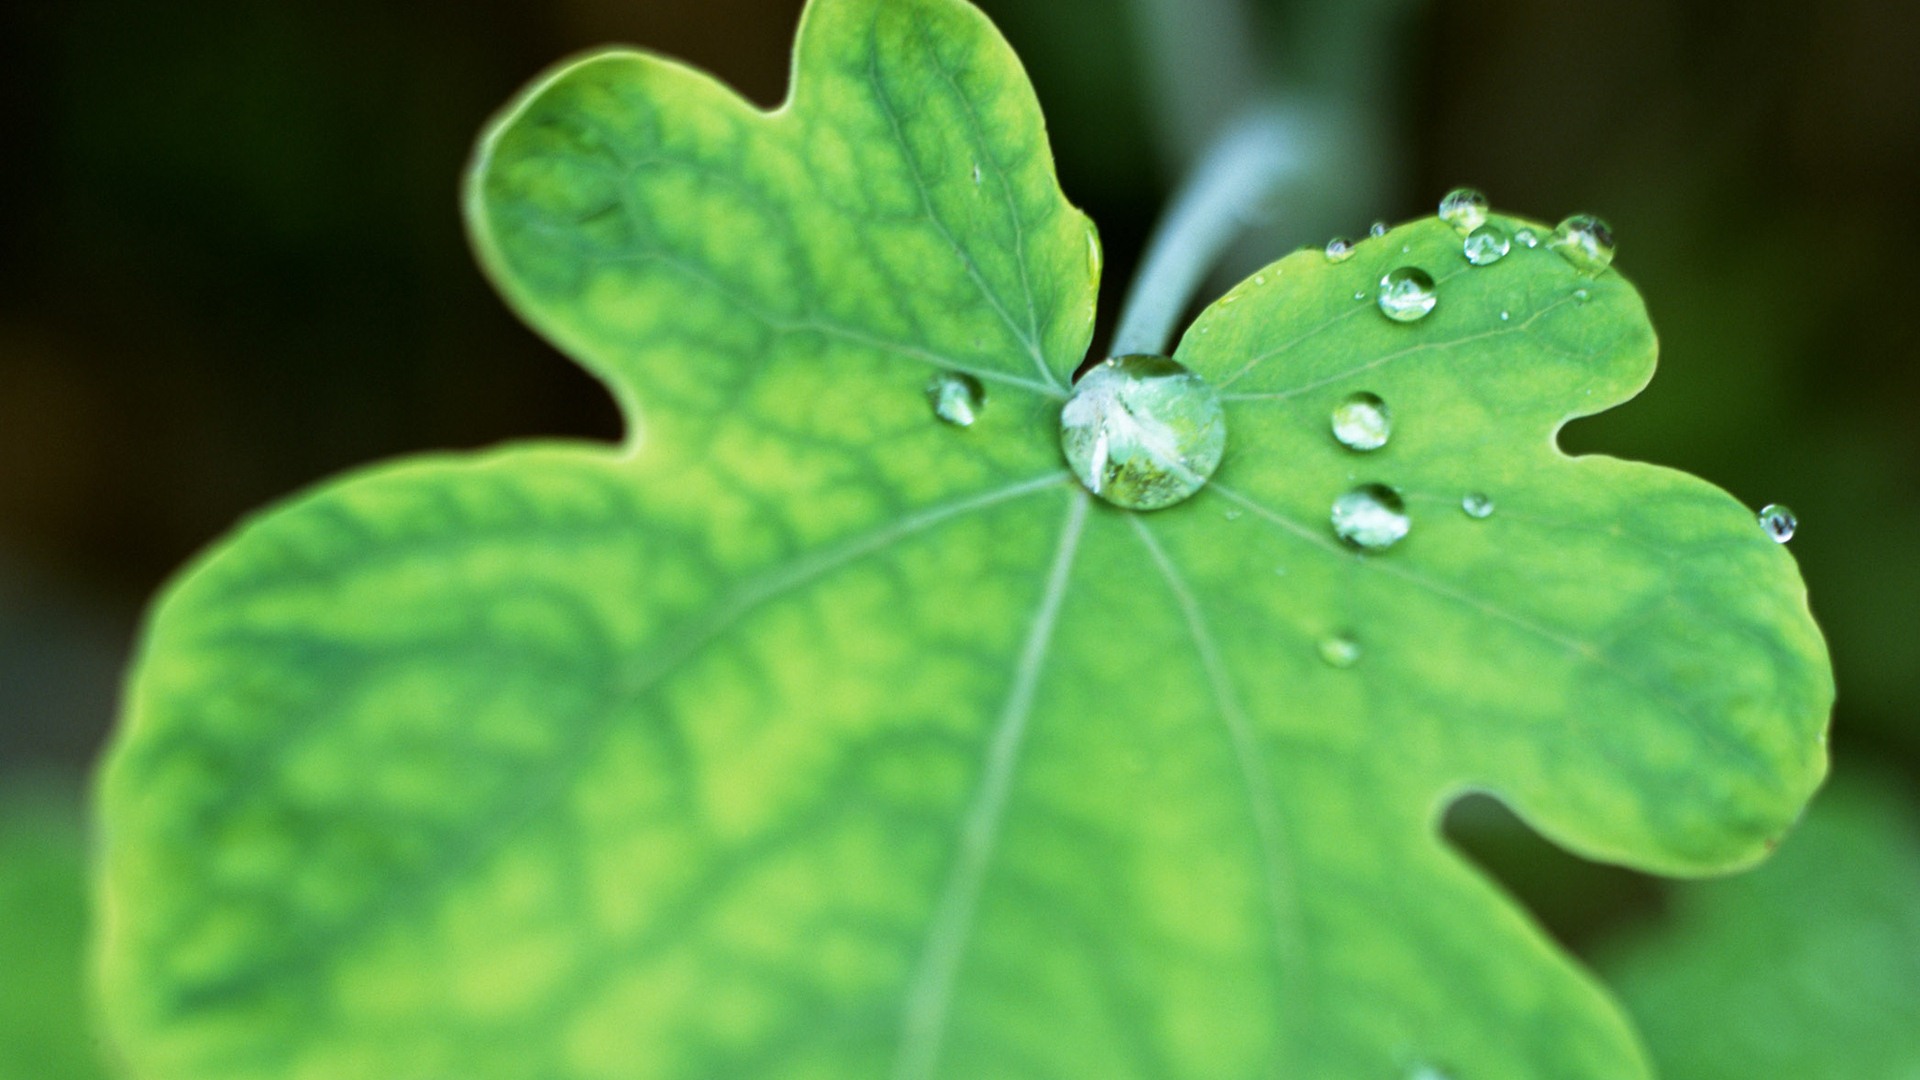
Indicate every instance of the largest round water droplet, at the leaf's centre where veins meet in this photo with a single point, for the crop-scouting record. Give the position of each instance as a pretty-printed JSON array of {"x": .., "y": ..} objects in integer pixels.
[{"x": 1141, "y": 431}]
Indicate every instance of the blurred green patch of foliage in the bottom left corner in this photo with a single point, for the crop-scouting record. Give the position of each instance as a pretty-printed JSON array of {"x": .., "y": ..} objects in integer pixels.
[{"x": 43, "y": 933}]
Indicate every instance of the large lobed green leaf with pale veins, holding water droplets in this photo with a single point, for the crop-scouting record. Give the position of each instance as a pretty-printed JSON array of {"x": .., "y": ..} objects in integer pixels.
[{"x": 811, "y": 737}]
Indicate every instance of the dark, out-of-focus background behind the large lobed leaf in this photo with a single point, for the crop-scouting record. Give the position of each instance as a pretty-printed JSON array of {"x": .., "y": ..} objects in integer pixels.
[{"x": 231, "y": 262}]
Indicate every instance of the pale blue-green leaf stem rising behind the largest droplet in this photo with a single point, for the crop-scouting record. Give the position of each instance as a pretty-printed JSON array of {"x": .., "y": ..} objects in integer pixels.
[{"x": 1224, "y": 195}]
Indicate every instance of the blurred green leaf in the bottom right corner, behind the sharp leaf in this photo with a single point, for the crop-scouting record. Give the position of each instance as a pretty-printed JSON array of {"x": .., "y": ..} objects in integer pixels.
[{"x": 1808, "y": 968}]
